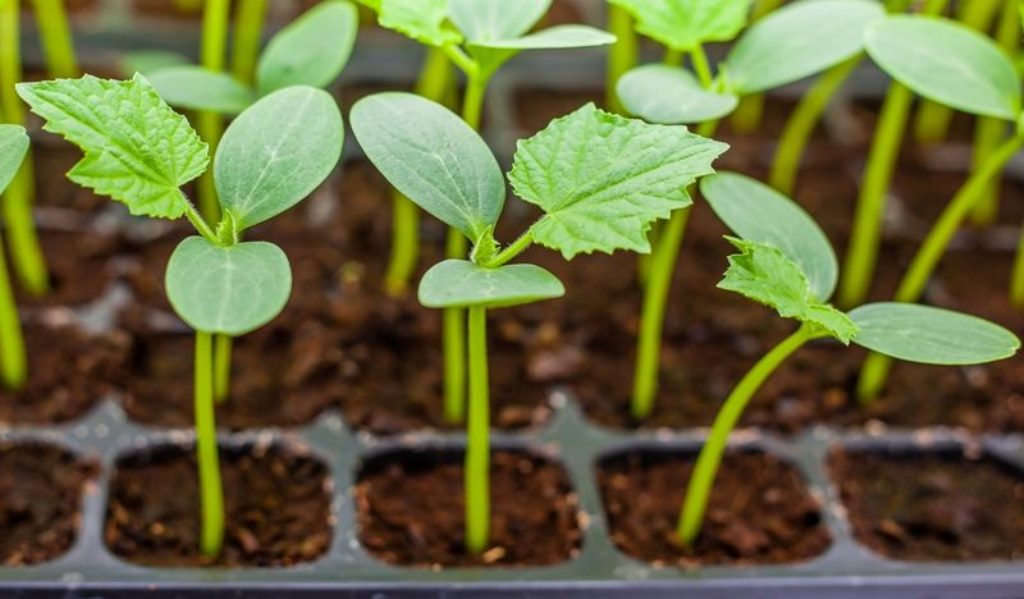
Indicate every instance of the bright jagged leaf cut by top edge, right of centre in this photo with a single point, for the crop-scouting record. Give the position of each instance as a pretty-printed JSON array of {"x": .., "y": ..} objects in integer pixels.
[{"x": 684, "y": 25}]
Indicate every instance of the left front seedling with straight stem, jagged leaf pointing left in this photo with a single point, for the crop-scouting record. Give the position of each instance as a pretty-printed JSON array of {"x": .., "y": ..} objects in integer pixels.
[{"x": 141, "y": 153}]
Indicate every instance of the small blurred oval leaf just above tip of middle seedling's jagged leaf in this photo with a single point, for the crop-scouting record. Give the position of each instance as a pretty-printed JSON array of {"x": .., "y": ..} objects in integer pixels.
[{"x": 659, "y": 94}]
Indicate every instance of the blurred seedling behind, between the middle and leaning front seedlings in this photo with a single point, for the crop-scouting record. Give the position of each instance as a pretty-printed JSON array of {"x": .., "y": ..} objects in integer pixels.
[{"x": 788, "y": 46}]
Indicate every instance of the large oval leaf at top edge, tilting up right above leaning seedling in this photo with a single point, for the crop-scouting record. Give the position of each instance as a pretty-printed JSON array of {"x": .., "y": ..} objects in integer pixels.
[{"x": 797, "y": 41}]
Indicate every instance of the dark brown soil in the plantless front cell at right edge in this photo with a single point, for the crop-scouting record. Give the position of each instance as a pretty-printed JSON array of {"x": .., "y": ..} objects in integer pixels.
[{"x": 932, "y": 507}]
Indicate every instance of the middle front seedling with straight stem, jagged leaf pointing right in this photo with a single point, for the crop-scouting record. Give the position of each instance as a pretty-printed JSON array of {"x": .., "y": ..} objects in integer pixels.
[{"x": 601, "y": 181}]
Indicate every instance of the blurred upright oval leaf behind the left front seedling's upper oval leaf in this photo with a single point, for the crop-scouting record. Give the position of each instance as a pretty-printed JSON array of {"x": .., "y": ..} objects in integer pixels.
[{"x": 312, "y": 51}]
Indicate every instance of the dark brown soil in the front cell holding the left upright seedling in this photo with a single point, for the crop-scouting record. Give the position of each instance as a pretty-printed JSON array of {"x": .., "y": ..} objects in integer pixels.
[{"x": 277, "y": 507}]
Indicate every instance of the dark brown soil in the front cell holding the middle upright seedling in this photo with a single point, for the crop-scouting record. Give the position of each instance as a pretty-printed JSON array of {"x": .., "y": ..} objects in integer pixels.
[{"x": 411, "y": 511}]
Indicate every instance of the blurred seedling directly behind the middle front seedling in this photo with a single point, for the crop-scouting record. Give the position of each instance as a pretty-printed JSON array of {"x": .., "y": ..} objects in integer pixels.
[{"x": 479, "y": 36}]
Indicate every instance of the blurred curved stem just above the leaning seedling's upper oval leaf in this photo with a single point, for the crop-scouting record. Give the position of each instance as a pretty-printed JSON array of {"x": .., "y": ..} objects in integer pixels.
[{"x": 802, "y": 122}]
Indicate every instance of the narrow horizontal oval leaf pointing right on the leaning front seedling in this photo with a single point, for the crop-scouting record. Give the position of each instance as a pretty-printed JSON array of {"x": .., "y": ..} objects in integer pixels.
[{"x": 928, "y": 335}]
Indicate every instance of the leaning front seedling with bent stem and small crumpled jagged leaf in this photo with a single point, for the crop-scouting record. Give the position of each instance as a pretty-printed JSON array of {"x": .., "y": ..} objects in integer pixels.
[{"x": 786, "y": 264}]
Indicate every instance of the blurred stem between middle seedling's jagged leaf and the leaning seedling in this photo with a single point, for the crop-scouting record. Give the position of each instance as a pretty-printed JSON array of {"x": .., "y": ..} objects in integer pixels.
[{"x": 656, "y": 298}]
